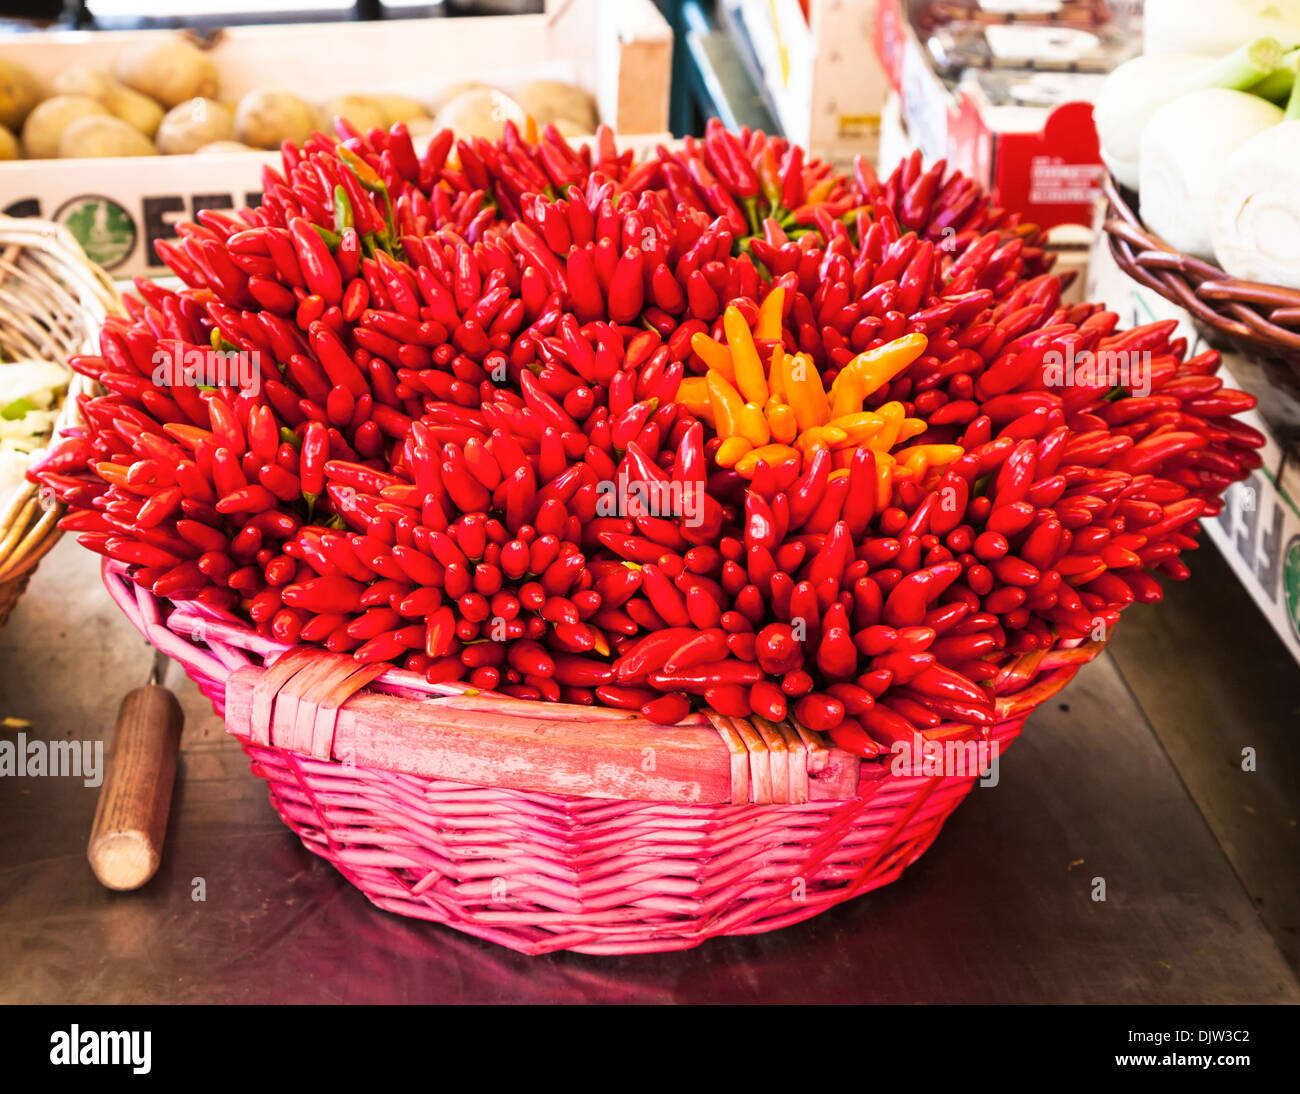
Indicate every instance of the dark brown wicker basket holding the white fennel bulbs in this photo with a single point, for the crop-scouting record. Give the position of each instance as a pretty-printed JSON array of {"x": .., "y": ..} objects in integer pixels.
[{"x": 1258, "y": 320}]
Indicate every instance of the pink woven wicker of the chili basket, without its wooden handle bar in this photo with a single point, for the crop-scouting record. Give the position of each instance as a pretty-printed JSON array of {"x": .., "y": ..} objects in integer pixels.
[{"x": 540, "y": 872}]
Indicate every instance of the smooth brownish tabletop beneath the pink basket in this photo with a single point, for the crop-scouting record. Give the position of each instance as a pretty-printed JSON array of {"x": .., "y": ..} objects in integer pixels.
[{"x": 1133, "y": 778}]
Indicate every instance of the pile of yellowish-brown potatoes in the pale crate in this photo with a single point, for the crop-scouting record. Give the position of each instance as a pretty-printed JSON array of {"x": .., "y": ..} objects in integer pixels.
[{"x": 163, "y": 98}]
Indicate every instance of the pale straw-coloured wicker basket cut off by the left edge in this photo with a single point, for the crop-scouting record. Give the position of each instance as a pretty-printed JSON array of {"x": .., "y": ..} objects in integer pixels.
[{"x": 53, "y": 303}]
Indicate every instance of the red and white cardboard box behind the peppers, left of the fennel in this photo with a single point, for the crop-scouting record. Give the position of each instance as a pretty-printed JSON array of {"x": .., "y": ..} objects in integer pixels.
[{"x": 1043, "y": 163}]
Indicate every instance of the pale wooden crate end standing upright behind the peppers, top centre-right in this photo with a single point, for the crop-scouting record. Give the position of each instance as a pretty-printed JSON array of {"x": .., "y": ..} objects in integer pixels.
[{"x": 818, "y": 72}]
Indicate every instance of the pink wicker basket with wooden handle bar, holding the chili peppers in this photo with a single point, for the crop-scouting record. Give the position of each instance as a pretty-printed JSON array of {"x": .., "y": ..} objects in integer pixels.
[{"x": 547, "y": 828}]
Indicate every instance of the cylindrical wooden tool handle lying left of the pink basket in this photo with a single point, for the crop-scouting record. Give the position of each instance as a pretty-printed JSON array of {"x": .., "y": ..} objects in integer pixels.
[{"x": 131, "y": 819}]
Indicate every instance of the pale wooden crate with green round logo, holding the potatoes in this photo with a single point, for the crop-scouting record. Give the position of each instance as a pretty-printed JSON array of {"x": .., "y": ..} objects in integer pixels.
[{"x": 119, "y": 207}]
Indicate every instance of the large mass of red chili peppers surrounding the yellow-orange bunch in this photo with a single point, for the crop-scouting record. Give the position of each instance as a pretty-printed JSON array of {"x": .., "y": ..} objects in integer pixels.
[{"x": 463, "y": 351}]
